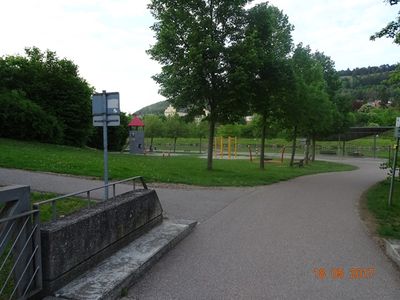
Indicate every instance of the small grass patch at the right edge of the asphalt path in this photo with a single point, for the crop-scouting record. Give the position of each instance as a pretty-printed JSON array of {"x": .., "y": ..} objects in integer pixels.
[{"x": 388, "y": 218}]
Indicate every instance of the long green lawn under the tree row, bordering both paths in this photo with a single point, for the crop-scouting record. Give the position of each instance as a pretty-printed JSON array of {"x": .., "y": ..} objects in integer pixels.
[{"x": 181, "y": 169}]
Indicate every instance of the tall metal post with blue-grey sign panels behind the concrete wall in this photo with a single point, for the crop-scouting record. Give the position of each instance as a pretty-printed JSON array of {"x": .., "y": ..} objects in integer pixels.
[{"x": 105, "y": 111}]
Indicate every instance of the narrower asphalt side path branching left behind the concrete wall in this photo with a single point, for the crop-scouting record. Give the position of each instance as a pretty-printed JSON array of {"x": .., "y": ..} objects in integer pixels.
[{"x": 180, "y": 202}]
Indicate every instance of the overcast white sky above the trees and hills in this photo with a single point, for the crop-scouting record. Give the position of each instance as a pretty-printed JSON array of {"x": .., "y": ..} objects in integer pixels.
[{"x": 108, "y": 38}]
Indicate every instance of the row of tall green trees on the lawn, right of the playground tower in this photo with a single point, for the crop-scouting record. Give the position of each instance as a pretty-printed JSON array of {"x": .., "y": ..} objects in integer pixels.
[{"x": 233, "y": 61}]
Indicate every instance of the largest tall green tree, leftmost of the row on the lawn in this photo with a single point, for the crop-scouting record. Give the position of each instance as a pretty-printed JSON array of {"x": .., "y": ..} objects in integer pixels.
[{"x": 196, "y": 43}]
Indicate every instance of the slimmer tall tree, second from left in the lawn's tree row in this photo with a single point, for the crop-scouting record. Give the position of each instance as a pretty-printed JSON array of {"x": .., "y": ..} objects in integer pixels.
[{"x": 270, "y": 32}]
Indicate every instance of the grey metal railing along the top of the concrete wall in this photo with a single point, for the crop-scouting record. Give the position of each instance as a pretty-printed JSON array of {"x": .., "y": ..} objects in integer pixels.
[{"x": 53, "y": 201}]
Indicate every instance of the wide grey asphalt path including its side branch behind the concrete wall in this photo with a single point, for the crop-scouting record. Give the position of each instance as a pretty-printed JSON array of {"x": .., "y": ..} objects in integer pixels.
[{"x": 264, "y": 242}]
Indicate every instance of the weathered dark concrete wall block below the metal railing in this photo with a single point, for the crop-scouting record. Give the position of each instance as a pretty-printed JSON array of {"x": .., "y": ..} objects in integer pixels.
[{"x": 75, "y": 239}]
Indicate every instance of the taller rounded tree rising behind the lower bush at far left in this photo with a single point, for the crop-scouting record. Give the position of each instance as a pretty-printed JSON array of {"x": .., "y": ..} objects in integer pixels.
[{"x": 56, "y": 86}]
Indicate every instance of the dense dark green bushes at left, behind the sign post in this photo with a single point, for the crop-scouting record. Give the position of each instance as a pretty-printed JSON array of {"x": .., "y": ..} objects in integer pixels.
[{"x": 44, "y": 98}]
